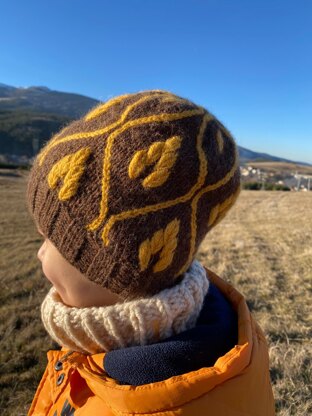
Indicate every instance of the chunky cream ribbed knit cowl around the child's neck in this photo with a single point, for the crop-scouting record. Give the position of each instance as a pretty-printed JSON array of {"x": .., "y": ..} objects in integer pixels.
[{"x": 137, "y": 322}]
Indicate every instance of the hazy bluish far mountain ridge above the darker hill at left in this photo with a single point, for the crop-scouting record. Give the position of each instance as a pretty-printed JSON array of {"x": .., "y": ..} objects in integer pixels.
[{"x": 44, "y": 100}]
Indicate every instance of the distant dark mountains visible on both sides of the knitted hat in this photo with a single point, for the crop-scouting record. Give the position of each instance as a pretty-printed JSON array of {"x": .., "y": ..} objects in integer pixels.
[{"x": 30, "y": 116}]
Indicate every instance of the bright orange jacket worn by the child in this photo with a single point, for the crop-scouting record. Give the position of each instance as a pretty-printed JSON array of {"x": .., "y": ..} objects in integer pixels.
[{"x": 237, "y": 385}]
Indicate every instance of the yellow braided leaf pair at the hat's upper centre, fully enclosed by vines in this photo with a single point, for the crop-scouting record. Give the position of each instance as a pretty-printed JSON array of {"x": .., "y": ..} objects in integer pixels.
[{"x": 164, "y": 153}]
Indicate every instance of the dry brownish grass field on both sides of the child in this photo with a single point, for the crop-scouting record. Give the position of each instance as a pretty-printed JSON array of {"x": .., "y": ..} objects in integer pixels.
[{"x": 263, "y": 246}]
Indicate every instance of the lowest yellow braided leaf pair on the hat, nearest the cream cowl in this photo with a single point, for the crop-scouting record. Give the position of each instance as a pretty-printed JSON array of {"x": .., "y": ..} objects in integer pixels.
[{"x": 164, "y": 240}]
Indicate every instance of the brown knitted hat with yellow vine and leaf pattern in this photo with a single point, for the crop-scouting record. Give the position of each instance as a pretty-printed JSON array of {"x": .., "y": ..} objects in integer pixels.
[{"x": 128, "y": 192}]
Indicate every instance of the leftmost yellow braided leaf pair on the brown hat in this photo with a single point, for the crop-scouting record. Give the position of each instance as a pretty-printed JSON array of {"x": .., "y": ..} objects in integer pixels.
[{"x": 69, "y": 169}]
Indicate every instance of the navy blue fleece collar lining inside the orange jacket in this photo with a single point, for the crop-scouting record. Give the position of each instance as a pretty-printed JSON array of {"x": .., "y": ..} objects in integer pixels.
[{"x": 215, "y": 334}]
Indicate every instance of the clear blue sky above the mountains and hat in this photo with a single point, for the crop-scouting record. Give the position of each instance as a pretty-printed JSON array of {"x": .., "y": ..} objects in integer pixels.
[{"x": 248, "y": 62}]
